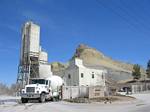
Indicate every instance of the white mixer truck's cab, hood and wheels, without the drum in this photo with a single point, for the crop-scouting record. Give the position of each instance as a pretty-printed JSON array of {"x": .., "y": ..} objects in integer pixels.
[{"x": 39, "y": 89}]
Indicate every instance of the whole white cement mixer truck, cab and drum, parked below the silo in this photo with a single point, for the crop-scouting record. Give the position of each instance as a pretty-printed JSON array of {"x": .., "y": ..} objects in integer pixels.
[{"x": 42, "y": 89}]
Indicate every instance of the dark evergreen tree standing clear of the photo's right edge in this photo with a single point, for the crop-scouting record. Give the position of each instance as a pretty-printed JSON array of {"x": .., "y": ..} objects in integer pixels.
[{"x": 136, "y": 72}]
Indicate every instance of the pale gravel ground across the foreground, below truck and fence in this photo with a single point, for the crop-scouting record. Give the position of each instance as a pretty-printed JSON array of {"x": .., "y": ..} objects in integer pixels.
[{"x": 142, "y": 104}]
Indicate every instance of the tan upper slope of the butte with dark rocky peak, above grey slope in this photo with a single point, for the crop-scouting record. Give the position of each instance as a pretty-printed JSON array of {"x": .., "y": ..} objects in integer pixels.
[{"x": 93, "y": 57}]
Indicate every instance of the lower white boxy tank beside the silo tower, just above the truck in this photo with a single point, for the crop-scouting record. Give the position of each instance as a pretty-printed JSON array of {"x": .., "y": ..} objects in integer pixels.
[{"x": 45, "y": 71}]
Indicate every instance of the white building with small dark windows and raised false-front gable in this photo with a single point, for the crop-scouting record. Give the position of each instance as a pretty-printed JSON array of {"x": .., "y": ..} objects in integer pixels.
[{"x": 77, "y": 74}]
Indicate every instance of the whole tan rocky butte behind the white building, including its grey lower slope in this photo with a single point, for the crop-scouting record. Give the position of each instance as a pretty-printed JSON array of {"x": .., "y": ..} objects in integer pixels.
[{"x": 117, "y": 70}]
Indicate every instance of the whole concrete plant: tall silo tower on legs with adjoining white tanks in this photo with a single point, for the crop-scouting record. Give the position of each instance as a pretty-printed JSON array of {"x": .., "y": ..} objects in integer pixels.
[{"x": 33, "y": 60}]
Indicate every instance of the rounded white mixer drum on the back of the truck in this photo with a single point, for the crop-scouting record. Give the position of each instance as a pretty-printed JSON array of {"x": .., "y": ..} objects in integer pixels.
[{"x": 56, "y": 82}]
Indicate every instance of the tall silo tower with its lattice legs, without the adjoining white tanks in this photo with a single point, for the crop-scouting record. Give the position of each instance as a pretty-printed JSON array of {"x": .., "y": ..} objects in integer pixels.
[{"x": 29, "y": 57}]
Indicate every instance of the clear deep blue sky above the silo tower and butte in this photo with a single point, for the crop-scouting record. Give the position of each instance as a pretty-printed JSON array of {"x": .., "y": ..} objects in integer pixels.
[{"x": 118, "y": 28}]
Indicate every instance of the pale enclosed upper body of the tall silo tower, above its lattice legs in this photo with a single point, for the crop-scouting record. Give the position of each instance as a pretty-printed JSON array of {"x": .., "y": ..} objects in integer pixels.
[{"x": 30, "y": 41}]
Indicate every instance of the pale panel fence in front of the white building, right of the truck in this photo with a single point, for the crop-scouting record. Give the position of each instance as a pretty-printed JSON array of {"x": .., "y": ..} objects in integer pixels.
[{"x": 69, "y": 92}]
